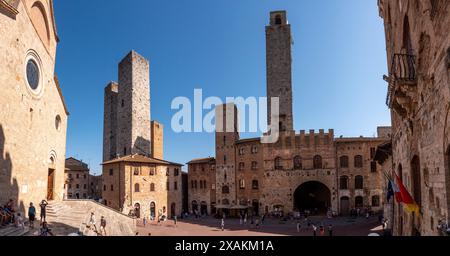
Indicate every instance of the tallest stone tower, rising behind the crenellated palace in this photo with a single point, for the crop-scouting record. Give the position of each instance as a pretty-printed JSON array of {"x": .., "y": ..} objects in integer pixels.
[{"x": 279, "y": 73}]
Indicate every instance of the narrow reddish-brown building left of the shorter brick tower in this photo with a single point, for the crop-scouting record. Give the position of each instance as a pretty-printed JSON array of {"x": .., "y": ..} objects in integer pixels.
[{"x": 202, "y": 186}]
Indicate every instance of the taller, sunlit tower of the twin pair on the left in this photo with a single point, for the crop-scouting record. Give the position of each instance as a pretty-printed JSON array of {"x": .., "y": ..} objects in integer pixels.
[{"x": 133, "y": 110}]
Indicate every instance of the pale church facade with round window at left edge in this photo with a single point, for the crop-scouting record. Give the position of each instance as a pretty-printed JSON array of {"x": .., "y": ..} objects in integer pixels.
[{"x": 33, "y": 116}]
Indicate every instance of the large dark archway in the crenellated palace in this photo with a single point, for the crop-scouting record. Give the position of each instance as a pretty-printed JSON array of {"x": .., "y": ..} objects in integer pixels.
[{"x": 312, "y": 196}]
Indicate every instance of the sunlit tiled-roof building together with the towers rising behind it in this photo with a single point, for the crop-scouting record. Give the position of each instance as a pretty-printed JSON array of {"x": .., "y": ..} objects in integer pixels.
[{"x": 135, "y": 177}]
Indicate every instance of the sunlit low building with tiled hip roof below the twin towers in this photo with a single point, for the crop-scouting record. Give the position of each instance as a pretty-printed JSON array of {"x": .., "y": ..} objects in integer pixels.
[{"x": 143, "y": 186}]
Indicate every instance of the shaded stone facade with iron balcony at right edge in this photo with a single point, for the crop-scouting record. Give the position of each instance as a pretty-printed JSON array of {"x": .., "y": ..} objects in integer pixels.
[{"x": 418, "y": 54}]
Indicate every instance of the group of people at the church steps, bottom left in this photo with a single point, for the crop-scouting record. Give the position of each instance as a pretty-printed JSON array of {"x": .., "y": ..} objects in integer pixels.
[{"x": 10, "y": 216}]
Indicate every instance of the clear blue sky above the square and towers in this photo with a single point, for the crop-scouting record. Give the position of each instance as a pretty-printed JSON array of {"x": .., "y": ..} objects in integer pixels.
[{"x": 219, "y": 46}]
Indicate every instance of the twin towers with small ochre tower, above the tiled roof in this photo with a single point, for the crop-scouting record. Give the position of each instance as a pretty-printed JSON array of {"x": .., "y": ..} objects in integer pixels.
[{"x": 128, "y": 128}]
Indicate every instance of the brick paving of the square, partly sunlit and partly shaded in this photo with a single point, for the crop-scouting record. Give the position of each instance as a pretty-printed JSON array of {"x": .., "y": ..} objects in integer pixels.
[{"x": 272, "y": 227}]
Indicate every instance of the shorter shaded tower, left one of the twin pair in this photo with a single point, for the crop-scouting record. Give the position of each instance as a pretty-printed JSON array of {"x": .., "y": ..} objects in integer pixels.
[{"x": 110, "y": 121}]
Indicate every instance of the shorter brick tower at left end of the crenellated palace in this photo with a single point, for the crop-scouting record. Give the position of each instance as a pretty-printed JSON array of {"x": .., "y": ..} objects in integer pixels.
[{"x": 226, "y": 137}]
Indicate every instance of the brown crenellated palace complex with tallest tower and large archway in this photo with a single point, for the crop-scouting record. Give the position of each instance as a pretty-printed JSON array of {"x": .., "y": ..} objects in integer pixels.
[{"x": 302, "y": 171}]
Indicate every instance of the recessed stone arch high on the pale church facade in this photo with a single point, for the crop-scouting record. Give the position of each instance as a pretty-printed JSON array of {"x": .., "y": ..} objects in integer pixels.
[{"x": 40, "y": 20}]
